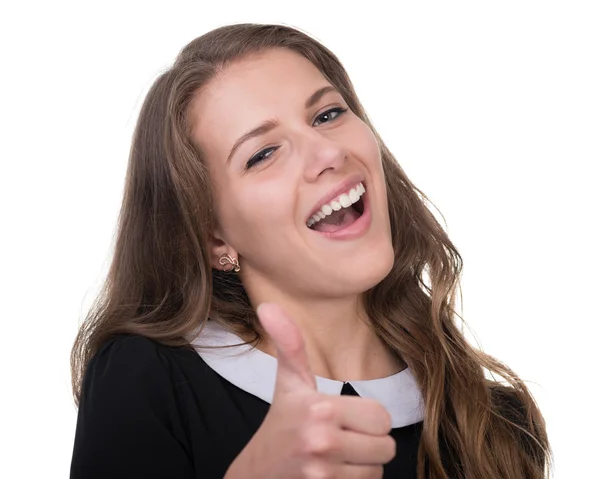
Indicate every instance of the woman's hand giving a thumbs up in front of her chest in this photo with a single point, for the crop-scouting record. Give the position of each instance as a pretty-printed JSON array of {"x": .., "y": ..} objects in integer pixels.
[{"x": 307, "y": 434}]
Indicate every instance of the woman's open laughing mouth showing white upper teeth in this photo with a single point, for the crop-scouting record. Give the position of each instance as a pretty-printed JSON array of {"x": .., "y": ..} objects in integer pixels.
[{"x": 340, "y": 213}]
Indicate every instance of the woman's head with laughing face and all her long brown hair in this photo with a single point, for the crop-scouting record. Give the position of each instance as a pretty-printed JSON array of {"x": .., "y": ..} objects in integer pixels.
[{"x": 189, "y": 199}]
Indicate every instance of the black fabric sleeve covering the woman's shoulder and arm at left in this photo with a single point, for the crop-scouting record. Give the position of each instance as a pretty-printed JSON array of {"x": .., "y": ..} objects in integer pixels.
[{"x": 129, "y": 423}]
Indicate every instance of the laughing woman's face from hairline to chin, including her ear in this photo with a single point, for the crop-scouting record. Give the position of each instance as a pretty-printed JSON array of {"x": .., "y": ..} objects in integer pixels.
[{"x": 306, "y": 152}]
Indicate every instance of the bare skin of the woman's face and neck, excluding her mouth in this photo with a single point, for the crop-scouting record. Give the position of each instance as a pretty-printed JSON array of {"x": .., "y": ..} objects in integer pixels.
[{"x": 261, "y": 211}]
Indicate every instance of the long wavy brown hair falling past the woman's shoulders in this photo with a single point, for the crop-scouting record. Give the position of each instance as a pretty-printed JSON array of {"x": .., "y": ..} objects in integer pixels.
[{"x": 161, "y": 284}]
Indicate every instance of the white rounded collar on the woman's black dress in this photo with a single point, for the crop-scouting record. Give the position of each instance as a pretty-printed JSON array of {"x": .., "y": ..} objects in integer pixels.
[{"x": 255, "y": 371}]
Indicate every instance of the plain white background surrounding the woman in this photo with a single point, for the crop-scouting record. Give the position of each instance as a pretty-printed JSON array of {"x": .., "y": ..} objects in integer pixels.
[{"x": 492, "y": 108}]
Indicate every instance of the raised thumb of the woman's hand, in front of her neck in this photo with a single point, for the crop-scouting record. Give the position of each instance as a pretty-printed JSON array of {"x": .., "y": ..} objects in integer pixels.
[{"x": 293, "y": 369}]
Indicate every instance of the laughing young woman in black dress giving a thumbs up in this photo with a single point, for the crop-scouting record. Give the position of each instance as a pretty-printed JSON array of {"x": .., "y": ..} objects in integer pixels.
[{"x": 281, "y": 300}]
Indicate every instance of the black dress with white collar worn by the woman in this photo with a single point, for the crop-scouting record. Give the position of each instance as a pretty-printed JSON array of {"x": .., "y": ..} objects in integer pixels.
[{"x": 151, "y": 411}]
